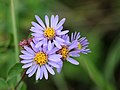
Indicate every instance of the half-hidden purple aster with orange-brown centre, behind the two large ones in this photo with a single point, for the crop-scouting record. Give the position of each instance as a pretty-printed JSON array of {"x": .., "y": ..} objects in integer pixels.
[{"x": 68, "y": 52}]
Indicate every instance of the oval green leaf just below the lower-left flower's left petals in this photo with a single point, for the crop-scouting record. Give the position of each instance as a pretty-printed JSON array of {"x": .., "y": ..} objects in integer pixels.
[{"x": 15, "y": 70}]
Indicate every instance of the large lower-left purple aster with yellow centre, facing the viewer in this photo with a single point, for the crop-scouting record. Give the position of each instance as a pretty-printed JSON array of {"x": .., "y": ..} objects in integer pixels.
[{"x": 39, "y": 60}]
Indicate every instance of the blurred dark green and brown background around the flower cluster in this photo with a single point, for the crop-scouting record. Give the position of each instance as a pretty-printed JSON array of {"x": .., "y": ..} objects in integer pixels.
[{"x": 98, "y": 20}]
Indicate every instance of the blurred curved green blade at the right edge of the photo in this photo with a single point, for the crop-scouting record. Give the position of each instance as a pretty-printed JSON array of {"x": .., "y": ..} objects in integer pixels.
[{"x": 112, "y": 60}]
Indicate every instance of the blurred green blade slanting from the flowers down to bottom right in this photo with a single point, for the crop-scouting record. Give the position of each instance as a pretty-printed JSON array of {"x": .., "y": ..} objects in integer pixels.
[{"x": 94, "y": 74}]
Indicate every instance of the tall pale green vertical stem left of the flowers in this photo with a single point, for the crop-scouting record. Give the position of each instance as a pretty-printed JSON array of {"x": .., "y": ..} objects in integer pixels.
[{"x": 14, "y": 30}]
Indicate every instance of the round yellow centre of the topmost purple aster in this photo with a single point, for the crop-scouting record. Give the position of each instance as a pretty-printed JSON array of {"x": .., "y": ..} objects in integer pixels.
[{"x": 49, "y": 33}]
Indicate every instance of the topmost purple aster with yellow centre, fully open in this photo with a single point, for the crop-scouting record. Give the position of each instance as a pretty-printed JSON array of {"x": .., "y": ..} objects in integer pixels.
[{"x": 50, "y": 32}]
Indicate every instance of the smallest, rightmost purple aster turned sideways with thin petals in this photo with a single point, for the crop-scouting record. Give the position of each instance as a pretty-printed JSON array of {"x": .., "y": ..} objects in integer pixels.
[{"x": 82, "y": 45}]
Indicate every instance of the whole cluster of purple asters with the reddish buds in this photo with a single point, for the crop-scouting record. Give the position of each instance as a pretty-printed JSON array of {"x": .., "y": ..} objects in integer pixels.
[{"x": 50, "y": 46}]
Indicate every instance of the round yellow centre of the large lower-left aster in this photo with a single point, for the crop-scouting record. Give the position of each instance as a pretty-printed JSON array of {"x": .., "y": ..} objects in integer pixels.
[{"x": 41, "y": 58}]
